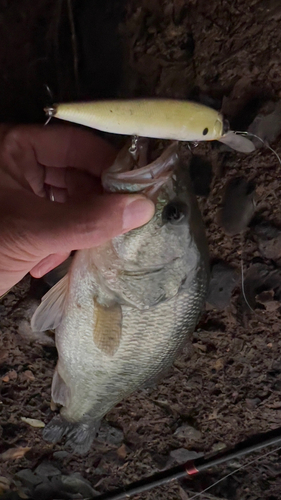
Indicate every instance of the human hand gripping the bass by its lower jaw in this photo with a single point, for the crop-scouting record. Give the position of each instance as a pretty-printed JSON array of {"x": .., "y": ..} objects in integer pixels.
[{"x": 37, "y": 234}]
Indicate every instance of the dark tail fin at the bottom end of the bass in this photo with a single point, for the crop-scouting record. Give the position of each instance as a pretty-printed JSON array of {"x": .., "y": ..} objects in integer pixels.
[{"x": 80, "y": 435}]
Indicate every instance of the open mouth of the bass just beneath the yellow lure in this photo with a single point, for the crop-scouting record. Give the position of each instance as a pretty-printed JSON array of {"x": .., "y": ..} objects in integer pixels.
[{"x": 127, "y": 175}]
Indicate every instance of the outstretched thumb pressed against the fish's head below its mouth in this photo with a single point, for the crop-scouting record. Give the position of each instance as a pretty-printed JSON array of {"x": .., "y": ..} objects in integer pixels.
[{"x": 63, "y": 227}]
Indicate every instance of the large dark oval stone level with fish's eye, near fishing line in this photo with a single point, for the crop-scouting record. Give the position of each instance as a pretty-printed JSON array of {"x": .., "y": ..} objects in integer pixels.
[{"x": 238, "y": 205}]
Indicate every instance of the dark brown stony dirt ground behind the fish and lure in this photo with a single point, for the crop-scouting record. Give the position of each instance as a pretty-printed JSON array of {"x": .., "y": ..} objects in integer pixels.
[{"x": 226, "y": 54}]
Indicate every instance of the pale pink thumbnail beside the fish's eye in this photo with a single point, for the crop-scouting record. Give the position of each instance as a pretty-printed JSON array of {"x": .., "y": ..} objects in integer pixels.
[{"x": 137, "y": 212}]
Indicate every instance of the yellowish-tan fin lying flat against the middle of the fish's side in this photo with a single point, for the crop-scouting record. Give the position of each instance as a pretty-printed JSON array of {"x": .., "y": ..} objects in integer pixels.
[{"x": 108, "y": 327}]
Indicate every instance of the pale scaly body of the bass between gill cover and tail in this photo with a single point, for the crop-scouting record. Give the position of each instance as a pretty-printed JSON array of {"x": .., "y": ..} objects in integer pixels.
[{"x": 150, "y": 340}]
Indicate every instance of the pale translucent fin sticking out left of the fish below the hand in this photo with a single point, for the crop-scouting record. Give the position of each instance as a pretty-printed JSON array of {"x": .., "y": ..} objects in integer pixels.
[{"x": 49, "y": 314}]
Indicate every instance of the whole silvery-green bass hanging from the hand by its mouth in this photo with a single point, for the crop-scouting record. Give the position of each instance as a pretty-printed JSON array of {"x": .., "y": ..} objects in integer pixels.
[{"x": 125, "y": 309}]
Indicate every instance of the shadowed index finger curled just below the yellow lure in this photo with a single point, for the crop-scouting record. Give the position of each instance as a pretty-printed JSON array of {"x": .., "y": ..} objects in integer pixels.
[{"x": 61, "y": 146}]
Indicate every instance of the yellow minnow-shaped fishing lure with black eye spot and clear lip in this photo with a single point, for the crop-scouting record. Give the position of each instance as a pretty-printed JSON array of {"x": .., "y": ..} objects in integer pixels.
[{"x": 170, "y": 119}]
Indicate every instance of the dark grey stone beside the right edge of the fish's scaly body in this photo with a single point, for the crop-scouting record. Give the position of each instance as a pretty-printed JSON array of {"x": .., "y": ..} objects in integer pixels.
[{"x": 222, "y": 283}]
